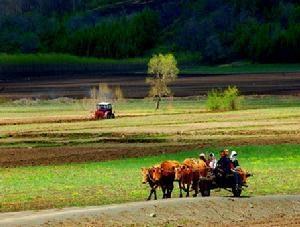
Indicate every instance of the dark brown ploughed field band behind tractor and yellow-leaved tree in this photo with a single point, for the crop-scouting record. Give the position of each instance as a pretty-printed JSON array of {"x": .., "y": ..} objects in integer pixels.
[{"x": 134, "y": 86}]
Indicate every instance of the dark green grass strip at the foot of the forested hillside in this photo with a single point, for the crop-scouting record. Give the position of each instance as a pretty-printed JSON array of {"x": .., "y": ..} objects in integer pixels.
[{"x": 186, "y": 64}]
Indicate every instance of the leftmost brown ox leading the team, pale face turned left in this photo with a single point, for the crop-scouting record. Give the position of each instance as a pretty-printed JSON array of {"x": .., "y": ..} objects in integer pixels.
[{"x": 152, "y": 177}]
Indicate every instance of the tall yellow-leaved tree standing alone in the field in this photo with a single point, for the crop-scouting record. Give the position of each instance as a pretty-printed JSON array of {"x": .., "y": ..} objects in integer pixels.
[{"x": 162, "y": 70}]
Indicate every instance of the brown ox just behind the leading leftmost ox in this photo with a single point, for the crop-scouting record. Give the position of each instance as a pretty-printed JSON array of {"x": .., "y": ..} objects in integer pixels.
[{"x": 167, "y": 177}]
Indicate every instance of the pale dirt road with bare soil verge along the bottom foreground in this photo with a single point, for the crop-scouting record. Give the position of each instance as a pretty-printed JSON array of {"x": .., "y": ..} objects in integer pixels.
[{"x": 278, "y": 210}]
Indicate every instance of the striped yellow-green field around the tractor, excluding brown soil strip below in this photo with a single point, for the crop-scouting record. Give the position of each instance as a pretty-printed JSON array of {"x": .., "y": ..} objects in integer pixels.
[{"x": 50, "y": 123}]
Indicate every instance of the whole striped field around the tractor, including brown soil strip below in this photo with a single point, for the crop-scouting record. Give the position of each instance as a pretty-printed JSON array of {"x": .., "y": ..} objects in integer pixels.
[{"x": 50, "y": 132}]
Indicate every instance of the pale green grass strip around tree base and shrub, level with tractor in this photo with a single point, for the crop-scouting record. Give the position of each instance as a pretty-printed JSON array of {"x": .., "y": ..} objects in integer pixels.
[{"x": 17, "y": 109}]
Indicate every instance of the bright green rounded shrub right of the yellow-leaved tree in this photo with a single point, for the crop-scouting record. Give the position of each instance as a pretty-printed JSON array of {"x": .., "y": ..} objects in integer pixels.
[{"x": 228, "y": 99}]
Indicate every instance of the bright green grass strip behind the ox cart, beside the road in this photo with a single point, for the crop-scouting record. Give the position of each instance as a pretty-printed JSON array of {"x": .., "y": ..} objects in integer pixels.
[{"x": 276, "y": 171}]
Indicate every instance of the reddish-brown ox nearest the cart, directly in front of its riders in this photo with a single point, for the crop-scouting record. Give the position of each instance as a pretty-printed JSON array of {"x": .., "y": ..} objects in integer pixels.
[{"x": 189, "y": 174}]
